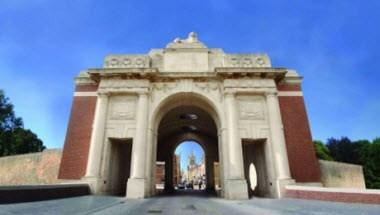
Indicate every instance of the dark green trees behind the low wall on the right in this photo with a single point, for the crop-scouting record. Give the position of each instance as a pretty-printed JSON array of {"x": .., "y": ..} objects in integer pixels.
[{"x": 362, "y": 152}]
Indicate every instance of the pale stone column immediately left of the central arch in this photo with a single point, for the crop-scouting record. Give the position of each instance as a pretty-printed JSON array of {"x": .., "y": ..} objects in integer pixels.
[{"x": 136, "y": 183}]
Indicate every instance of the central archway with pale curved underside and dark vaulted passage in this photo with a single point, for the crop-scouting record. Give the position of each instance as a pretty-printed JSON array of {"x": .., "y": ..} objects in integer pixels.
[{"x": 181, "y": 117}]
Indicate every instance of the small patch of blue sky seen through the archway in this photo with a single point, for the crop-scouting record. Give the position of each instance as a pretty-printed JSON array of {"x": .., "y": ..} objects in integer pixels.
[{"x": 187, "y": 148}]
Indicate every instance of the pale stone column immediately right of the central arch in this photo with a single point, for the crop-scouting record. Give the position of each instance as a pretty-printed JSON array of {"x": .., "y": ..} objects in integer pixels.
[{"x": 235, "y": 178}]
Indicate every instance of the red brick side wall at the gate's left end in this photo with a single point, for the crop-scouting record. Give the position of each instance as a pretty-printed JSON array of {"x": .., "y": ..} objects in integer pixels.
[{"x": 76, "y": 148}]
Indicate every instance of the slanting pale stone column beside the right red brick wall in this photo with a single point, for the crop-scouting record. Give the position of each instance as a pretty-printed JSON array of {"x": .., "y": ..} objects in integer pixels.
[{"x": 280, "y": 154}]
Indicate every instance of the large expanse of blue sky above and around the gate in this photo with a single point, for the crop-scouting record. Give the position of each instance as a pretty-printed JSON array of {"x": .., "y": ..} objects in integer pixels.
[{"x": 334, "y": 44}]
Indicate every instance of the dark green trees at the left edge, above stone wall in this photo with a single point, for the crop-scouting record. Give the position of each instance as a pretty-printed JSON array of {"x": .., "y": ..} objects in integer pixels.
[{"x": 14, "y": 139}]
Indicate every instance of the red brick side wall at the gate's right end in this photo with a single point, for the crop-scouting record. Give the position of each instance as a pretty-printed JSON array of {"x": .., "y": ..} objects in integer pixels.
[{"x": 303, "y": 163}]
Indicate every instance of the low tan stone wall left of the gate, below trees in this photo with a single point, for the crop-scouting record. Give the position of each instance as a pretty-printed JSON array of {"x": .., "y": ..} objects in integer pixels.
[{"x": 29, "y": 169}]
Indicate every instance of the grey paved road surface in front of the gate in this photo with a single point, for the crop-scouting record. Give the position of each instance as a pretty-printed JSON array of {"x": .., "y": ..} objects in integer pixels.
[{"x": 183, "y": 203}]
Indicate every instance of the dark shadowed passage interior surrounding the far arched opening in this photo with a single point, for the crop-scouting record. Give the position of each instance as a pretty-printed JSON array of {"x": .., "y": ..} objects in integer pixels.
[{"x": 186, "y": 122}]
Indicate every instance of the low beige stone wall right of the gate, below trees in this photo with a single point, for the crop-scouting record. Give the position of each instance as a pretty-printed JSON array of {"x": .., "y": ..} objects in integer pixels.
[{"x": 337, "y": 174}]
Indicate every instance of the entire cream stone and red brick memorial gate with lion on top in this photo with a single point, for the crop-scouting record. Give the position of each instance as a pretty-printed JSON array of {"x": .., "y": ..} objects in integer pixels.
[{"x": 140, "y": 99}]
